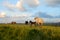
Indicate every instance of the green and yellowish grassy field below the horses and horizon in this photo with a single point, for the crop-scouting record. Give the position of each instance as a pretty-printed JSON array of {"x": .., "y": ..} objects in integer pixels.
[{"x": 28, "y": 32}]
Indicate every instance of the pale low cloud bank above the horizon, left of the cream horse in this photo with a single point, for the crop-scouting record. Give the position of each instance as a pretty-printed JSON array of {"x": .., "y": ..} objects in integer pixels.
[{"x": 19, "y": 18}]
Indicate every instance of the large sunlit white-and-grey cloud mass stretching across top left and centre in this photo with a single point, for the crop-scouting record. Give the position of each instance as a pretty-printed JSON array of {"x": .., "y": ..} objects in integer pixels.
[{"x": 20, "y": 4}]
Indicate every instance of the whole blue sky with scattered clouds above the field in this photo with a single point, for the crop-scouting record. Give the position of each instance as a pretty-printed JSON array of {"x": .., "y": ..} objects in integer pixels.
[{"x": 22, "y": 10}]
